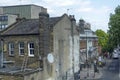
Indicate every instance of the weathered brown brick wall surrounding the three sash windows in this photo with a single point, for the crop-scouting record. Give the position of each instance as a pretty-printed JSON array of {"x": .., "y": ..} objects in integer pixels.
[{"x": 18, "y": 58}]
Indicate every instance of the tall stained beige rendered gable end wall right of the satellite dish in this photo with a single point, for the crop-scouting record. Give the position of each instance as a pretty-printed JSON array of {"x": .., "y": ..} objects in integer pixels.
[{"x": 66, "y": 48}]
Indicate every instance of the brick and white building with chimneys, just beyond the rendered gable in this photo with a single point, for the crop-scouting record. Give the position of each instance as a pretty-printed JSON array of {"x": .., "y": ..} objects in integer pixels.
[{"x": 88, "y": 42}]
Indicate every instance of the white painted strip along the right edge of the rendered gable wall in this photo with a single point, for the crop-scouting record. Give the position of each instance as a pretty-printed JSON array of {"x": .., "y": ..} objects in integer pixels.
[{"x": 74, "y": 54}]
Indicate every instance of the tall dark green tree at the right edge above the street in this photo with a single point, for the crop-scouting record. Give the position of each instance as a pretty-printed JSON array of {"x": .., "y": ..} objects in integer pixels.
[{"x": 114, "y": 28}]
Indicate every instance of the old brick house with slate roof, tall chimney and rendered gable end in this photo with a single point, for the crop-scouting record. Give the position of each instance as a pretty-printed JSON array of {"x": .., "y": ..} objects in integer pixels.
[{"x": 26, "y": 44}]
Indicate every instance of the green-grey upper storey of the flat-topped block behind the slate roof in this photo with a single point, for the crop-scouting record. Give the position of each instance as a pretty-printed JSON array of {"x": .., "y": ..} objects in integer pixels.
[{"x": 23, "y": 11}]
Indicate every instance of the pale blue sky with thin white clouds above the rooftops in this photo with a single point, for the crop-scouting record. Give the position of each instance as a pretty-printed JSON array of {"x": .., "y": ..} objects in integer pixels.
[{"x": 95, "y": 12}]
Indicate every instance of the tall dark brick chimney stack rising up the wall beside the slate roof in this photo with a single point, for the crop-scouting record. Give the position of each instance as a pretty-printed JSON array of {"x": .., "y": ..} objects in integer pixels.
[{"x": 44, "y": 33}]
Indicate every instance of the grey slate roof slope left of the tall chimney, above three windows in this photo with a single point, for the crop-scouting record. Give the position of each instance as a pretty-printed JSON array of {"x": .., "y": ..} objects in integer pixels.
[{"x": 23, "y": 27}]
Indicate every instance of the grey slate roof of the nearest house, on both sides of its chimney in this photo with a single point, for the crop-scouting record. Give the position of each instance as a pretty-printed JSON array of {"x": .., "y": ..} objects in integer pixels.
[{"x": 28, "y": 26}]
